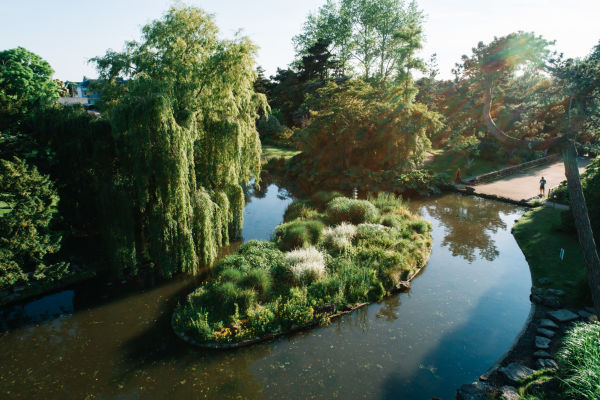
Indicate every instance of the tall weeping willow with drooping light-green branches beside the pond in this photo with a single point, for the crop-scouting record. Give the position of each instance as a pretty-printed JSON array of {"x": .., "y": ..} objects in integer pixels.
[{"x": 183, "y": 110}]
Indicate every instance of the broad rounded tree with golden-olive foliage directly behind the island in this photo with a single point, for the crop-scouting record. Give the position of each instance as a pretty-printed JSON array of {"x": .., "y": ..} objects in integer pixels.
[{"x": 356, "y": 130}]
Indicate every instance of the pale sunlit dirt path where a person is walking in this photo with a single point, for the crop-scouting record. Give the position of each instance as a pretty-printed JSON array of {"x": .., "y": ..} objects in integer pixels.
[{"x": 525, "y": 184}]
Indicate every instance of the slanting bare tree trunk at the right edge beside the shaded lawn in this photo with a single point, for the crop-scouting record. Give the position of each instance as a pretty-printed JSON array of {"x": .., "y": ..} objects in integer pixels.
[{"x": 582, "y": 222}]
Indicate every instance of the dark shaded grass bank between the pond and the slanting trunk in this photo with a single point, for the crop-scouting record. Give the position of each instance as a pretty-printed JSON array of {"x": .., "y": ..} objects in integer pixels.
[{"x": 538, "y": 237}]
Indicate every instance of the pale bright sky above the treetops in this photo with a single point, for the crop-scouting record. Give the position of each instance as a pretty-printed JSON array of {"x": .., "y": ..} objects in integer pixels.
[{"x": 67, "y": 33}]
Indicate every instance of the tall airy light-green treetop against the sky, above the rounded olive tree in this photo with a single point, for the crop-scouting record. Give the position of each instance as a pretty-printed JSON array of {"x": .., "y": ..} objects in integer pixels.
[{"x": 379, "y": 37}]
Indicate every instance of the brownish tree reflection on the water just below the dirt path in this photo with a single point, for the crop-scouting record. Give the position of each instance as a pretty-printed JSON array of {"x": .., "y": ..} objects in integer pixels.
[{"x": 470, "y": 222}]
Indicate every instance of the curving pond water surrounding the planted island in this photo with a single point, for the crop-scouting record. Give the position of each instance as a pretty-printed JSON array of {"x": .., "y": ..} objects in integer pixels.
[{"x": 115, "y": 342}]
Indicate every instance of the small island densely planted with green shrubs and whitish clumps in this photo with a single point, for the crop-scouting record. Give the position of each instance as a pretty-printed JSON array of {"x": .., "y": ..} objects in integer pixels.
[{"x": 332, "y": 255}]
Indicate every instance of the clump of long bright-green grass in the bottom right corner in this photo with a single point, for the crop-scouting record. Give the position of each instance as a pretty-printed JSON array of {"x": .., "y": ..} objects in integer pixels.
[{"x": 579, "y": 359}]
